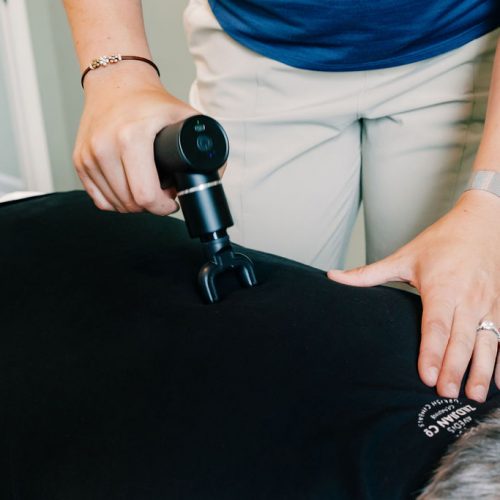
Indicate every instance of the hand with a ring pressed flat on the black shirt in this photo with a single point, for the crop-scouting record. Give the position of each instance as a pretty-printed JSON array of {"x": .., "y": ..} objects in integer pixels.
[{"x": 455, "y": 265}]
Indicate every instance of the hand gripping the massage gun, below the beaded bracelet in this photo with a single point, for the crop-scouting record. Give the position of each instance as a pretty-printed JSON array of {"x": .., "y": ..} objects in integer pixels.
[{"x": 124, "y": 109}]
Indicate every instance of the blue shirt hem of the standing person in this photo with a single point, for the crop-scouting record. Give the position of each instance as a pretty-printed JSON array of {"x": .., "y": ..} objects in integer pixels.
[{"x": 345, "y": 35}]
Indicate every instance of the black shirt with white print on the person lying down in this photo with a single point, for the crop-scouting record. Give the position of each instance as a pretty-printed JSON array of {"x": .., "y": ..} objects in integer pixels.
[{"x": 118, "y": 382}]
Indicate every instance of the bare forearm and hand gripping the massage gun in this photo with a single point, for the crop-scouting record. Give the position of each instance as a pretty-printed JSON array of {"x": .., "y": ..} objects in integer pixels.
[{"x": 125, "y": 107}]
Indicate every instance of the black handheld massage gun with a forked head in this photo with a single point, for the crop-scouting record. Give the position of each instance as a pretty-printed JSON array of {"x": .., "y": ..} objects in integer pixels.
[{"x": 188, "y": 155}]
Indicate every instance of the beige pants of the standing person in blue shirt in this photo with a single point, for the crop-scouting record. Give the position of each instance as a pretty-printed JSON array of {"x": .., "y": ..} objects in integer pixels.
[{"x": 306, "y": 146}]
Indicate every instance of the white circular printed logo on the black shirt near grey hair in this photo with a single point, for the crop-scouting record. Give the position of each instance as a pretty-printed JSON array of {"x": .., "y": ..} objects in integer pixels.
[{"x": 445, "y": 415}]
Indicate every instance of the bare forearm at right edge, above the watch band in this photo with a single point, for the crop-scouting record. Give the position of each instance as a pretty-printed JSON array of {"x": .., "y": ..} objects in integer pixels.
[{"x": 488, "y": 156}]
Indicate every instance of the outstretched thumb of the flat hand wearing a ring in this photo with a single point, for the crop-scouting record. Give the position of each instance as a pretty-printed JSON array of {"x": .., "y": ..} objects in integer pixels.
[{"x": 370, "y": 275}]
